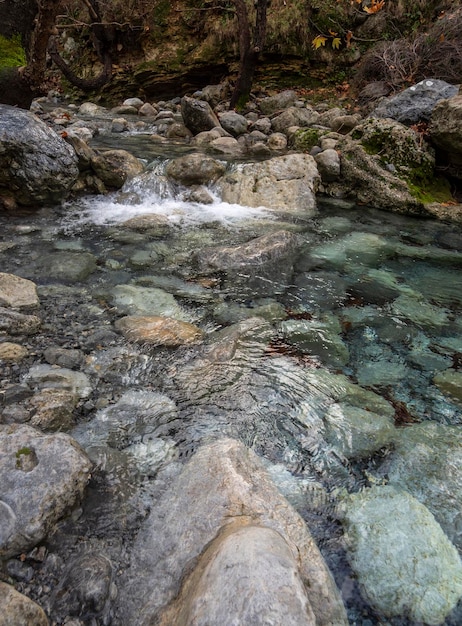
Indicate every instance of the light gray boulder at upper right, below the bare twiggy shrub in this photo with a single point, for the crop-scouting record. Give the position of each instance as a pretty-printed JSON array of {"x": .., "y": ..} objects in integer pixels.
[{"x": 416, "y": 103}]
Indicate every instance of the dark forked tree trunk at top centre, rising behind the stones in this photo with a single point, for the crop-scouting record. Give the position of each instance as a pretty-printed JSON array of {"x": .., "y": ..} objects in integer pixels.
[{"x": 249, "y": 50}]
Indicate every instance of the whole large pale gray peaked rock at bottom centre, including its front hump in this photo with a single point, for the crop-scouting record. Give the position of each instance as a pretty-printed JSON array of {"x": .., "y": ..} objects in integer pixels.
[{"x": 222, "y": 502}]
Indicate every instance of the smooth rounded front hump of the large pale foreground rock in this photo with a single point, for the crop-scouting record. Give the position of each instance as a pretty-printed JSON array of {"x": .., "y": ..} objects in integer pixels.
[{"x": 251, "y": 570}]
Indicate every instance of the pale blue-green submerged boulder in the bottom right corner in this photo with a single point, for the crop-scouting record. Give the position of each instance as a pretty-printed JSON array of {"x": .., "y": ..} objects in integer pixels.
[{"x": 401, "y": 571}]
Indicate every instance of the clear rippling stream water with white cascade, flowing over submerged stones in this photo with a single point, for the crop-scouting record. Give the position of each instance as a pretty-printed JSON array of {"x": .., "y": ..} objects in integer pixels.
[{"x": 370, "y": 298}]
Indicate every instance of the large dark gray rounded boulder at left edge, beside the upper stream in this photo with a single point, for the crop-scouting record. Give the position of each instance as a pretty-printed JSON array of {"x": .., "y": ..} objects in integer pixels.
[{"x": 37, "y": 166}]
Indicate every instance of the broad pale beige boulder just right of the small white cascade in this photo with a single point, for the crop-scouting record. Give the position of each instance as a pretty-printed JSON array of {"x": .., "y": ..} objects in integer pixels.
[{"x": 285, "y": 183}]
